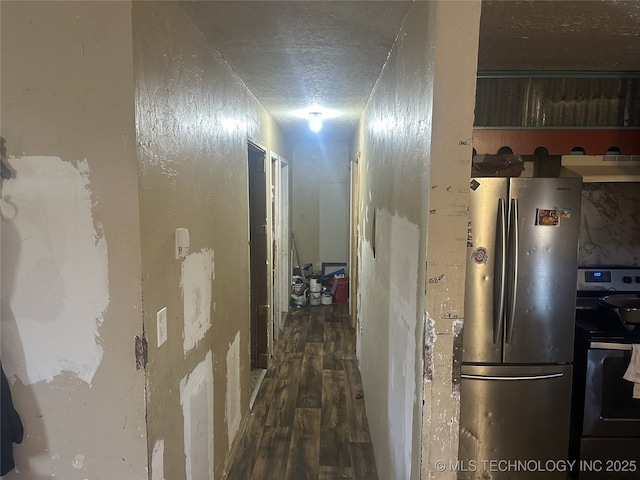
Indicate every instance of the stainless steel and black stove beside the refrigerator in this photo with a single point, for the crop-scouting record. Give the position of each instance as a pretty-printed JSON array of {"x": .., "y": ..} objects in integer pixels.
[{"x": 605, "y": 433}]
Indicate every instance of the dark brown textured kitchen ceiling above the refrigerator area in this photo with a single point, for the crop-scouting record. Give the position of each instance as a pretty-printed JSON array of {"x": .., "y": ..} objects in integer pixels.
[{"x": 602, "y": 35}]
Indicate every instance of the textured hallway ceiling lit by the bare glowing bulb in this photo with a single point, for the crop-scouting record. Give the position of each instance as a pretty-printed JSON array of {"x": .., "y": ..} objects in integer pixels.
[{"x": 291, "y": 54}]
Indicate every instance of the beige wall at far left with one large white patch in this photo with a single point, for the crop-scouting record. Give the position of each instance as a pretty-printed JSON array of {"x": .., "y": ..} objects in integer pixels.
[{"x": 71, "y": 296}]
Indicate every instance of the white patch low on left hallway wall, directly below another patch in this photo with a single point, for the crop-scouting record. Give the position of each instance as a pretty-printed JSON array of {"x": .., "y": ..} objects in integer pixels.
[{"x": 196, "y": 399}]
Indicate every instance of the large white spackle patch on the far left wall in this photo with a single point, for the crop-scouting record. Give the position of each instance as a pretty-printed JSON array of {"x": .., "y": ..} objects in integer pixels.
[{"x": 55, "y": 284}]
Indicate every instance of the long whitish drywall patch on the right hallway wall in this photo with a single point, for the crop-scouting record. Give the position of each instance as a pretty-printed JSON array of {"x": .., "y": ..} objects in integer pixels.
[{"x": 388, "y": 346}]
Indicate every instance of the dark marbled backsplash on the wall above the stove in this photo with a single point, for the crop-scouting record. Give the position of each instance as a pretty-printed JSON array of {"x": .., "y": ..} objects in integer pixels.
[{"x": 610, "y": 224}]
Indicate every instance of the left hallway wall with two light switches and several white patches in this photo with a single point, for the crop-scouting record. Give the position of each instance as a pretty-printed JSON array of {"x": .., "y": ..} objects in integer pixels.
[{"x": 194, "y": 119}]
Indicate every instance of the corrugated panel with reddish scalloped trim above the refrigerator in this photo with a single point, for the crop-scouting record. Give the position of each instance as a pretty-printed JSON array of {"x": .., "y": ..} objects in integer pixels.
[{"x": 586, "y": 113}]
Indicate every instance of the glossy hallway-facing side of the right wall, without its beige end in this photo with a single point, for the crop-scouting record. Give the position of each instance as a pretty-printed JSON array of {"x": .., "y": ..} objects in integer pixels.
[{"x": 393, "y": 205}]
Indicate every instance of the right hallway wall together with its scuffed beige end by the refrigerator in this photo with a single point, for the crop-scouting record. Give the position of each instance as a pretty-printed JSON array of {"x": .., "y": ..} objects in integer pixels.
[{"x": 415, "y": 155}]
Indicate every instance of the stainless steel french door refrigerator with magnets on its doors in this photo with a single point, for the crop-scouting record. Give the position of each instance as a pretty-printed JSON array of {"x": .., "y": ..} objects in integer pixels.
[{"x": 519, "y": 327}]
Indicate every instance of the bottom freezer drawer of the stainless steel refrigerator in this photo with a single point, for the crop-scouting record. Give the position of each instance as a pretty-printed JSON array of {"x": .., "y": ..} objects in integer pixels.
[{"x": 514, "y": 422}]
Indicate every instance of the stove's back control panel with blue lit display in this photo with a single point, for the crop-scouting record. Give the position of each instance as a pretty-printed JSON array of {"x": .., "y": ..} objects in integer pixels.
[{"x": 609, "y": 279}]
